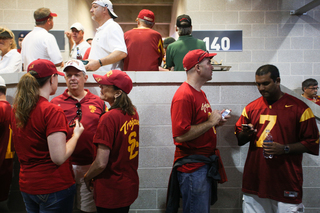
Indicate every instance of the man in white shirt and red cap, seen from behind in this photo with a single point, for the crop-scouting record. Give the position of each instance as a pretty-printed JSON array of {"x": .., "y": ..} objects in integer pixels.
[{"x": 39, "y": 43}]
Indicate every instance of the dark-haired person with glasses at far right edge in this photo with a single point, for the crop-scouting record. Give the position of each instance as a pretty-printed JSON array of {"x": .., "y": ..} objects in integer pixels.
[{"x": 310, "y": 89}]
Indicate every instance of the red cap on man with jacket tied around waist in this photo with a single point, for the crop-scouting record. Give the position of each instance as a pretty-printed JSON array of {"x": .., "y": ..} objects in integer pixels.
[{"x": 194, "y": 57}]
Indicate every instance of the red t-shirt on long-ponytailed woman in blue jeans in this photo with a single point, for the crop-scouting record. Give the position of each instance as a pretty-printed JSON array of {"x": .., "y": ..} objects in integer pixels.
[{"x": 38, "y": 174}]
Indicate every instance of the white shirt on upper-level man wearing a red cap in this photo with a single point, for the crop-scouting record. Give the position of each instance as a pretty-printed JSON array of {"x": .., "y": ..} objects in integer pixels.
[{"x": 39, "y": 43}]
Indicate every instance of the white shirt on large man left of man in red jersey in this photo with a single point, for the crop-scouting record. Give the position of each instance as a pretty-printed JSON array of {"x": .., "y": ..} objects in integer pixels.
[{"x": 109, "y": 37}]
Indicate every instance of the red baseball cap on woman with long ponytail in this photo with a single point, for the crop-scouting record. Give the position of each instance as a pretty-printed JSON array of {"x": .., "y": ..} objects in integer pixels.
[{"x": 44, "y": 68}]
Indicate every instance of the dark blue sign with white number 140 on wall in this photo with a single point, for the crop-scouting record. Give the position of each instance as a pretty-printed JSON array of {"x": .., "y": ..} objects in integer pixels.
[{"x": 220, "y": 40}]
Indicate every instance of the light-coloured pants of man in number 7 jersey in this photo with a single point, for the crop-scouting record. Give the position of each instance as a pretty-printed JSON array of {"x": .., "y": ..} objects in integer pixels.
[{"x": 254, "y": 204}]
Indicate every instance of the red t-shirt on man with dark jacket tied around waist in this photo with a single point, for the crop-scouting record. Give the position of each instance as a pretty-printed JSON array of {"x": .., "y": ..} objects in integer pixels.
[{"x": 191, "y": 107}]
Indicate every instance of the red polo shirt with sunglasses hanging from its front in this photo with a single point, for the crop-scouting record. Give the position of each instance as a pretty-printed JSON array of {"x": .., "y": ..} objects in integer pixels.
[{"x": 92, "y": 107}]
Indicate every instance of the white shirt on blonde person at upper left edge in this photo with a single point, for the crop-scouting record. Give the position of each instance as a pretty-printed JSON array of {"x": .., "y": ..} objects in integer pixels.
[{"x": 10, "y": 62}]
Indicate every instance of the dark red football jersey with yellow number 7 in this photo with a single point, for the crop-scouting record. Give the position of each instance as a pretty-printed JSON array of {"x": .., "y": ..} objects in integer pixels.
[{"x": 289, "y": 121}]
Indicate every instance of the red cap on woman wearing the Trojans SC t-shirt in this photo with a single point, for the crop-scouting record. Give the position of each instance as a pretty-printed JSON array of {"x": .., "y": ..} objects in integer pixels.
[{"x": 117, "y": 78}]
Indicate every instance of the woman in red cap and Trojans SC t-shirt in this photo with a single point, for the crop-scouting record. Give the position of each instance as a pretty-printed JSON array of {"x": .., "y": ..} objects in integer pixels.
[{"x": 114, "y": 171}]
